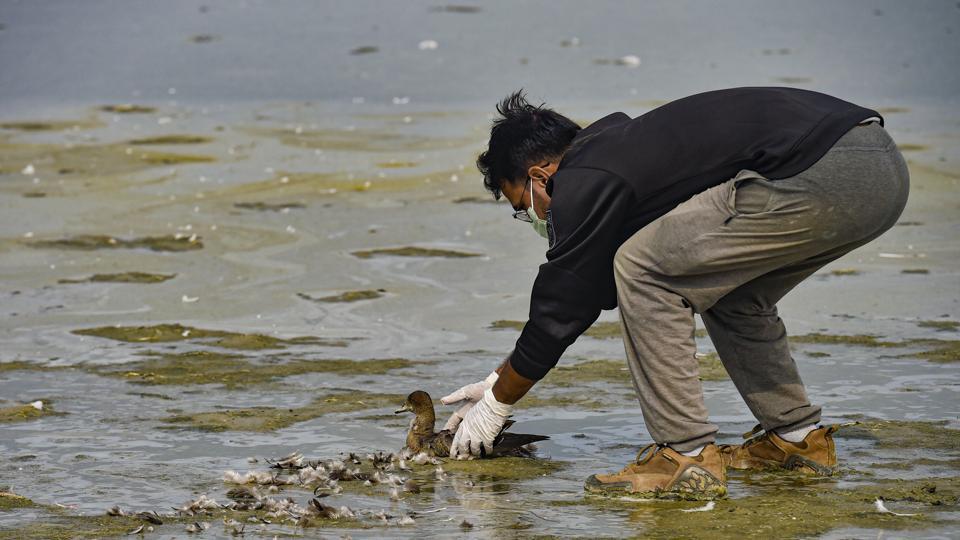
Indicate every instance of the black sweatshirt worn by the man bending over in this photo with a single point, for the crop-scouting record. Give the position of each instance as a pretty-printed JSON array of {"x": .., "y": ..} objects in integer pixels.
[{"x": 620, "y": 174}]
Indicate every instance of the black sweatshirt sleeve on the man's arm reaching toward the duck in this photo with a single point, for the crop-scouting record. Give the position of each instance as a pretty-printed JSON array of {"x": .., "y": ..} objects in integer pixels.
[{"x": 588, "y": 209}]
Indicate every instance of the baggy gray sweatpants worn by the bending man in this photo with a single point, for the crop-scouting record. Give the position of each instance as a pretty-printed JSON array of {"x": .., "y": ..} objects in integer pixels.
[{"x": 730, "y": 253}]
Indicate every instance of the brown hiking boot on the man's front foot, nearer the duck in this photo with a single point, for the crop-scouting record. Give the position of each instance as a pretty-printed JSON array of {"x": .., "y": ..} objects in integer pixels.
[{"x": 661, "y": 472}]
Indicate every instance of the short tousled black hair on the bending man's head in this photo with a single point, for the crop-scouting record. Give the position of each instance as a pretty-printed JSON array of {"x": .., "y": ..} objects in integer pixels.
[{"x": 523, "y": 135}]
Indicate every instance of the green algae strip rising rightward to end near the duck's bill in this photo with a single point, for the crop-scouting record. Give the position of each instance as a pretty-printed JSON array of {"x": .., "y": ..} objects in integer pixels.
[{"x": 266, "y": 419}]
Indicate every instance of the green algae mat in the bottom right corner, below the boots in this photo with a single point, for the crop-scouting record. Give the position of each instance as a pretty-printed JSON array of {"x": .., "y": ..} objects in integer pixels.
[{"x": 788, "y": 511}]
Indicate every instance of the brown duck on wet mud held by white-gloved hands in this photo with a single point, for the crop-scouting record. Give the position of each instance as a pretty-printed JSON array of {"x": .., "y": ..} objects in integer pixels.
[{"x": 422, "y": 438}]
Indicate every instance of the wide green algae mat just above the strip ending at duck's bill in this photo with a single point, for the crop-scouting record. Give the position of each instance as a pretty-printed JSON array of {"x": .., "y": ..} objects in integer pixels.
[{"x": 234, "y": 371}]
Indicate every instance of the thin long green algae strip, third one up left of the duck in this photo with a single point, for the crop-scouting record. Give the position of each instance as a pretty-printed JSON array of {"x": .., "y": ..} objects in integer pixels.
[{"x": 164, "y": 333}]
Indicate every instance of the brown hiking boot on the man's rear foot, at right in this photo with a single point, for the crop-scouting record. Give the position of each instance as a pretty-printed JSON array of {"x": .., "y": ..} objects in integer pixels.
[{"x": 815, "y": 455}]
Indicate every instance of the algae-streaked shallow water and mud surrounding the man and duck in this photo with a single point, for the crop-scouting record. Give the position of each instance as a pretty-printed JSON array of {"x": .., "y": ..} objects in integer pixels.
[{"x": 251, "y": 243}]
